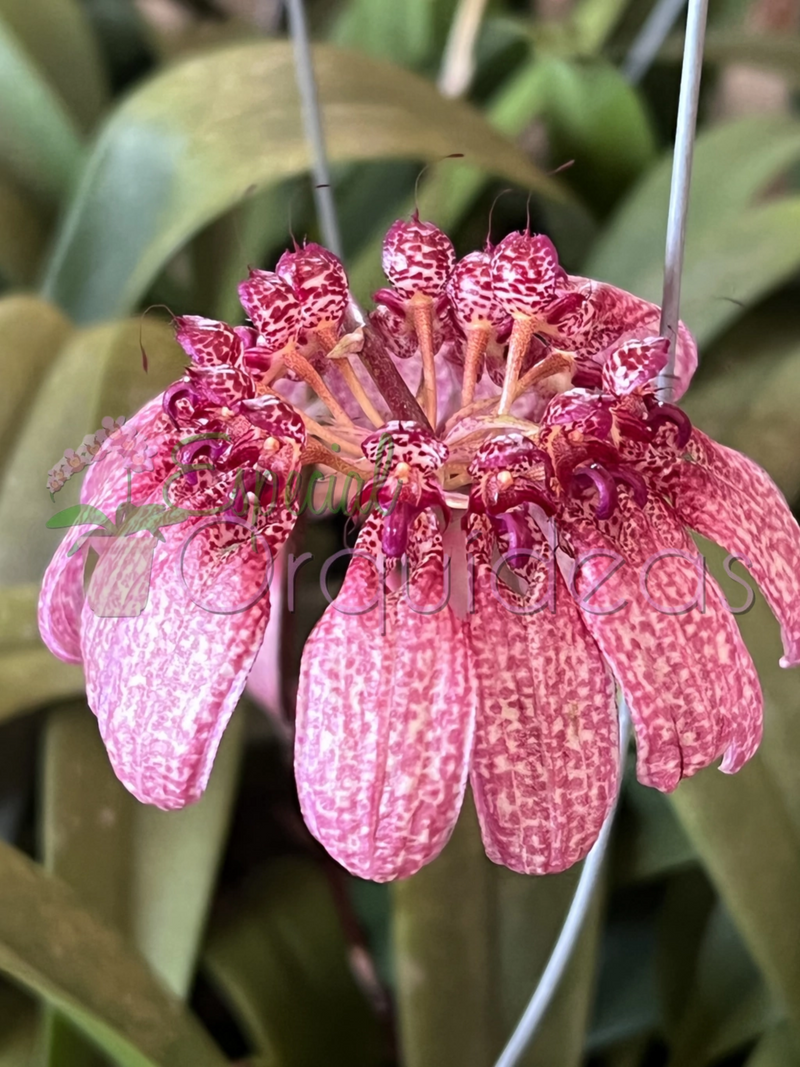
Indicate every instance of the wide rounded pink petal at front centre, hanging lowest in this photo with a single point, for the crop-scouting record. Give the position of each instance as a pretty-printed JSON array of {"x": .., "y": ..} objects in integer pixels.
[{"x": 386, "y": 721}]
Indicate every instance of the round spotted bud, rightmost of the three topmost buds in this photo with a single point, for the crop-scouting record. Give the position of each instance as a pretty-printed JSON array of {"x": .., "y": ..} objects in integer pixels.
[{"x": 526, "y": 274}]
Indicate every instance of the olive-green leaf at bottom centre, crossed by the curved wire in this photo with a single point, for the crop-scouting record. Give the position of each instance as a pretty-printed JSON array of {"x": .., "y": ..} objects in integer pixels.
[{"x": 468, "y": 963}]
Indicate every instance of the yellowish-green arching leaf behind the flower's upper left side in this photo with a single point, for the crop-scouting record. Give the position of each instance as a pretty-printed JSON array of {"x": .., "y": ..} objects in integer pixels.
[{"x": 99, "y": 373}]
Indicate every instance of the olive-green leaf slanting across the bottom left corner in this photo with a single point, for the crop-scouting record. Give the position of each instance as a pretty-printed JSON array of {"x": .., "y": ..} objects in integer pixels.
[{"x": 53, "y": 947}]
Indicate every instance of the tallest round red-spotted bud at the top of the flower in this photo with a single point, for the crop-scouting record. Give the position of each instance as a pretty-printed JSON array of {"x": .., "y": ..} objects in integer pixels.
[{"x": 418, "y": 258}]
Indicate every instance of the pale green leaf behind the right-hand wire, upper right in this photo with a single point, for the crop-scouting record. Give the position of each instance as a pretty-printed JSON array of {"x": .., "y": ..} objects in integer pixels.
[{"x": 735, "y": 252}]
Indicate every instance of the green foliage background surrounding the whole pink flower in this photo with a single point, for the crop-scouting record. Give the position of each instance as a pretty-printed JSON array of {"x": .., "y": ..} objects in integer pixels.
[{"x": 149, "y": 154}]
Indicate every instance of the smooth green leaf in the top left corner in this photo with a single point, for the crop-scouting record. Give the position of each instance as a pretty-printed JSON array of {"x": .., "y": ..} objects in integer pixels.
[{"x": 39, "y": 142}]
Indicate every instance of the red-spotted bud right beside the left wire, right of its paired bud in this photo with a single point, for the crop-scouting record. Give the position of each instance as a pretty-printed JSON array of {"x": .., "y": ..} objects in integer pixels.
[{"x": 319, "y": 283}]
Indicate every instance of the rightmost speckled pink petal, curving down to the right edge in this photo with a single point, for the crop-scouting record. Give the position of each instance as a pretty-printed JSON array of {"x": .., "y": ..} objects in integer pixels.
[{"x": 730, "y": 500}]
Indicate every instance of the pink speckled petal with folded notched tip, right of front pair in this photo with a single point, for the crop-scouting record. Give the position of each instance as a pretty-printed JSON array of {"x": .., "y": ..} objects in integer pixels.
[{"x": 685, "y": 672}]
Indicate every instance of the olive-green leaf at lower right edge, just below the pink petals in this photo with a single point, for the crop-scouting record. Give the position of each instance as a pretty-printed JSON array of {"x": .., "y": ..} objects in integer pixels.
[{"x": 750, "y": 848}]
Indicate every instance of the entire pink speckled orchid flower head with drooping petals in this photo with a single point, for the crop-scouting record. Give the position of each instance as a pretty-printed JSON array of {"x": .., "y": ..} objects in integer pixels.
[{"x": 524, "y": 493}]
